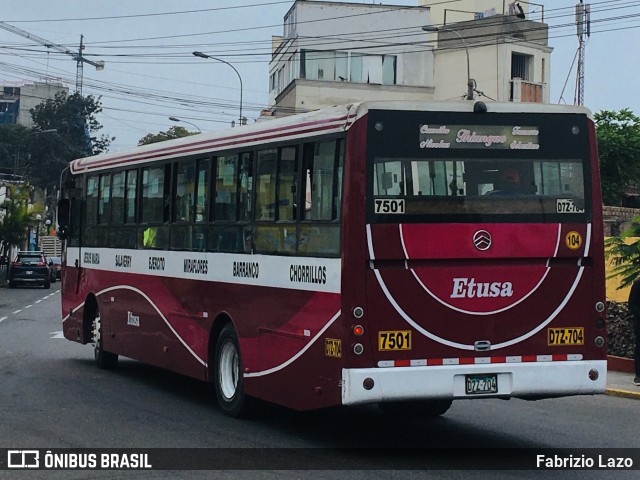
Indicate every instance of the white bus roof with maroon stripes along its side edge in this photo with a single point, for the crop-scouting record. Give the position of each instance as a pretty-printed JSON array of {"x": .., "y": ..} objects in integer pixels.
[{"x": 326, "y": 121}]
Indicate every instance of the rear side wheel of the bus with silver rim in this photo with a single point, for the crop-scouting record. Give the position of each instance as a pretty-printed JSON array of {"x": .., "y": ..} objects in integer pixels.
[{"x": 228, "y": 380}]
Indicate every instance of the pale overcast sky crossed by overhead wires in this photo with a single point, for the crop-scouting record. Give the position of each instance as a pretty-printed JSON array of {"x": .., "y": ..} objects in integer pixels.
[{"x": 151, "y": 74}]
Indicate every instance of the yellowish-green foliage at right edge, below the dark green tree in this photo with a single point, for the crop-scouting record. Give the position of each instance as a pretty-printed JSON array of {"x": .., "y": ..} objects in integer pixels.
[{"x": 623, "y": 252}]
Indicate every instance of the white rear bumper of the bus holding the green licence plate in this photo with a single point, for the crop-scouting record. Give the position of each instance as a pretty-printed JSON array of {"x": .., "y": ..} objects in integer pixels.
[{"x": 519, "y": 380}]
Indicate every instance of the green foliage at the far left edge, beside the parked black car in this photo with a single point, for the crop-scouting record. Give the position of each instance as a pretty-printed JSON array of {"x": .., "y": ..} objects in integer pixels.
[{"x": 13, "y": 227}]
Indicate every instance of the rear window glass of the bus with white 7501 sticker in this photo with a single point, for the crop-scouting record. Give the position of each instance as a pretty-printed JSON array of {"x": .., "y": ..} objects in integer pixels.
[{"x": 477, "y": 187}]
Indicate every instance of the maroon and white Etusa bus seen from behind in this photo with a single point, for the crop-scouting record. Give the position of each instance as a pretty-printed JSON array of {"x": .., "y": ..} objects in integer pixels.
[{"x": 400, "y": 253}]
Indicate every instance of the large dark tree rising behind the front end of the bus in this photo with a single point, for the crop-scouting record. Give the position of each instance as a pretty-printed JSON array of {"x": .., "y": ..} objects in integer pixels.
[{"x": 74, "y": 119}]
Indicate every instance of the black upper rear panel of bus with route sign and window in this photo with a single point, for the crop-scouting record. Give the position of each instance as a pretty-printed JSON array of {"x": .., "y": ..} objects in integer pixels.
[{"x": 430, "y": 167}]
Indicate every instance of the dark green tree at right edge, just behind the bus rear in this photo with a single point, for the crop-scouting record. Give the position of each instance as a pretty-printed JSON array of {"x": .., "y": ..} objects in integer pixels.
[{"x": 619, "y": 150}]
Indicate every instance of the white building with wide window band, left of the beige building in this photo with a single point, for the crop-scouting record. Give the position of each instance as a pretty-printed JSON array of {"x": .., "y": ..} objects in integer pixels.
[{"x": 335, "y": 53}]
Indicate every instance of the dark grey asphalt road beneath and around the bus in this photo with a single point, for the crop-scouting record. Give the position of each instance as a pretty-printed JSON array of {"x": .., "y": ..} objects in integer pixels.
[{"x": 52, "y": 396}]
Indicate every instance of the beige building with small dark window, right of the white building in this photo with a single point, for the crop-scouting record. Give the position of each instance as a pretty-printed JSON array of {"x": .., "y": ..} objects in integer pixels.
[{"x": 509, "y": 56}]
